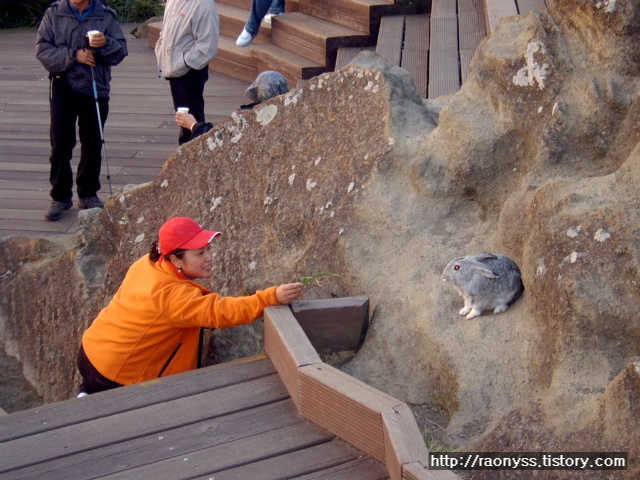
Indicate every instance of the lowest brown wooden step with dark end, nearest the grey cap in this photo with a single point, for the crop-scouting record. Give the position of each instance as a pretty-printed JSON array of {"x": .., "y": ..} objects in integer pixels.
[{"x": 292, "y": 66}]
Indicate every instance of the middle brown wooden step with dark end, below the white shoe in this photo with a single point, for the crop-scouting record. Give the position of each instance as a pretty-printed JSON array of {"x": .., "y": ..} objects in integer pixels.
[{"x": 315, "y": 39}]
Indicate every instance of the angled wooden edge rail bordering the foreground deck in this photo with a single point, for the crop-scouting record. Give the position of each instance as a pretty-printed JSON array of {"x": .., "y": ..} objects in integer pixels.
[{"x": 363, "y": 416}]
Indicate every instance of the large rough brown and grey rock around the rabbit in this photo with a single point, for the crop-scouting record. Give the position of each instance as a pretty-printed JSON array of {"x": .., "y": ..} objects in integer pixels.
[{"x": 536, "y": 157}]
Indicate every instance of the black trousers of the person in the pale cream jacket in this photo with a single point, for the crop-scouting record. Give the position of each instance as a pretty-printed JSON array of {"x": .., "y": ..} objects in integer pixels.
[{"x": 188, "y": 91}]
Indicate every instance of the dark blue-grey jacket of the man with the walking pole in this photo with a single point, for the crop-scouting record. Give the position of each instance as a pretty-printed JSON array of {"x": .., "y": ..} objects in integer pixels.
[{"x": 59, "y": 36}]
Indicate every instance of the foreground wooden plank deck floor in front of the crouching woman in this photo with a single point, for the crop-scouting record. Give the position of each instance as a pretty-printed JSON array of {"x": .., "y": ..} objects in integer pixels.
[{"x": 231, "y": 421}]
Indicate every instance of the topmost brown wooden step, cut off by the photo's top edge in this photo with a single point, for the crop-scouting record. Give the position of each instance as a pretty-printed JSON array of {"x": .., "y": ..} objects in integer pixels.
[{"x": 361, "y": 15}]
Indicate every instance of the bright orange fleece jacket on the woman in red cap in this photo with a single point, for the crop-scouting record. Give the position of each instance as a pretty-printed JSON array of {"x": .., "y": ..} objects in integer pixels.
[{"x": 151, "y": 327}]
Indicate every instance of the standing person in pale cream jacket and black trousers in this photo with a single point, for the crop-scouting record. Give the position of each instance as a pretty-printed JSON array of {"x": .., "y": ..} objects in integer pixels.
[{"x": 188, "y": 41}]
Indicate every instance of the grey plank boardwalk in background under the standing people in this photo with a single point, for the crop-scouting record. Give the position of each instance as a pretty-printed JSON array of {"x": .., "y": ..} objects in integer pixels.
[{"x": 140, "y": 133}]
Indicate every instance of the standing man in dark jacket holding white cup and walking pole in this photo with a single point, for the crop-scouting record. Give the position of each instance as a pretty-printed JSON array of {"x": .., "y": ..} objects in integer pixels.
[{"x": 74, "y": 62}]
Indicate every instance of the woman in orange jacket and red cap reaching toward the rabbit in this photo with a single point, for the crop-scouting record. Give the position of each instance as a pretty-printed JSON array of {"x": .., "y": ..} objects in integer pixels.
[{"x": 151, "y": 327}]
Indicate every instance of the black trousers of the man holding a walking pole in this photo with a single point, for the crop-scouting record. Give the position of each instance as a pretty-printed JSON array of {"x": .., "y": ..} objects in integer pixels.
[{"x": 69, "y": 107}]
